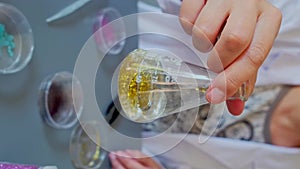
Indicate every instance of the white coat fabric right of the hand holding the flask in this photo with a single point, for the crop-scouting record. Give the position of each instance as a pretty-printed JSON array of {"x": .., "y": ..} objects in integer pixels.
[{"x": 283, "y": 63}]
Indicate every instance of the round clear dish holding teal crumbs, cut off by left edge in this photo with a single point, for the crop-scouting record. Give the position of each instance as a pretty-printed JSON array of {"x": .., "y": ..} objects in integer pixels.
[{"x": 16, "y": 40}]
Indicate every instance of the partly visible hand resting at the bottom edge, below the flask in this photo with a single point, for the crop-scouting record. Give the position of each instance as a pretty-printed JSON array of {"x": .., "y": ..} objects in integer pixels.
[{"x": 132, "y": 159}]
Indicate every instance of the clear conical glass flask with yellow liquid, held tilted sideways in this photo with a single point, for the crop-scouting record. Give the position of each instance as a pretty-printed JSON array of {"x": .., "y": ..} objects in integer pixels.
[{"x": 155, "y": 83}]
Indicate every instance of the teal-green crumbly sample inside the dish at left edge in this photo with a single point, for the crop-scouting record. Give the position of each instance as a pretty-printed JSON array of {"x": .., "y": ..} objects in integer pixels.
[{"x": 6, "y": 41}]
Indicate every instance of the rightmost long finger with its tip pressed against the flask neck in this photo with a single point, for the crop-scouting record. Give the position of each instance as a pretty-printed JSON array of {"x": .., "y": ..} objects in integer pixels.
[{"x": 247, "y": 65}]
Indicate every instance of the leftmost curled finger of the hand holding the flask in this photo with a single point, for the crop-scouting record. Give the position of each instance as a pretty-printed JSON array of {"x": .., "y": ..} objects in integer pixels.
[{"x": 189, "y": 12}]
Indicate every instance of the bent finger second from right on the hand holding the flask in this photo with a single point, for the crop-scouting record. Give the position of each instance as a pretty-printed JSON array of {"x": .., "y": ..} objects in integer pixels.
[{"x": 235, "y": 38}]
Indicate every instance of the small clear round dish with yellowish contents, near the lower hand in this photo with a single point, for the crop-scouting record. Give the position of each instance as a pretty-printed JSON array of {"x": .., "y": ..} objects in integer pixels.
[{"x": 84, "y": 152}]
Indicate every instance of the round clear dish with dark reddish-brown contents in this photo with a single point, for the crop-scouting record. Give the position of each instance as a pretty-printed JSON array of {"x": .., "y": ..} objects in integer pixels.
[{"x": 57, "y": 101}]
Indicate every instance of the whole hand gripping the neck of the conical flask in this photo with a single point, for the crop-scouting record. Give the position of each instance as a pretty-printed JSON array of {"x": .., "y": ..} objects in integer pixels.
[{"x": 242, "y": 31}]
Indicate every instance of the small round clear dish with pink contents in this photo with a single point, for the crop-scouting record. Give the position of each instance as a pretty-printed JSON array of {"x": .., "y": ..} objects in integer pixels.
[{"x": 109, "y": 36}]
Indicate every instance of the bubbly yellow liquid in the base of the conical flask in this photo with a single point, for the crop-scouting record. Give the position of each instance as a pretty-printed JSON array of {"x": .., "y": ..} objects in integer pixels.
[{"x": 137, "y": 85}]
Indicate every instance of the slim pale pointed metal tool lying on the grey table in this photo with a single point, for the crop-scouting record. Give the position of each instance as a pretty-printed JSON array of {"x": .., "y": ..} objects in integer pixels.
[{"x": 67, "y": 10}]
